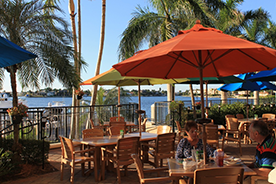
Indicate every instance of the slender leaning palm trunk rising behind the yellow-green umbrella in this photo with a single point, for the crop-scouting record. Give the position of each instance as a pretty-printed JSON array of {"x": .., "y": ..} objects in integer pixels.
[{"x": 95, "y": 87}]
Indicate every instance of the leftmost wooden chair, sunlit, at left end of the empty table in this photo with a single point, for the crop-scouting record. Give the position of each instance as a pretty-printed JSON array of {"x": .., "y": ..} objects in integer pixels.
[{"x": 70, "y": 156}]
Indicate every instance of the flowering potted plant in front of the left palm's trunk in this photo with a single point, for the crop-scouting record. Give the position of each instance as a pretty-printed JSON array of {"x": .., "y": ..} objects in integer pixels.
[{"x": 17, "y": 113}]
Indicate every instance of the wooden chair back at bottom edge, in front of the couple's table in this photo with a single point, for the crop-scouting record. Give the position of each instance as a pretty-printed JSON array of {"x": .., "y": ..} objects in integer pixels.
[{"x": 226, "y": 175}]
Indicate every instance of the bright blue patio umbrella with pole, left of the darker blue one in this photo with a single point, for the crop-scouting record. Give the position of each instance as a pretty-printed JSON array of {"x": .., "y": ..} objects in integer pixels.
[{"x": 248, "y": 85}]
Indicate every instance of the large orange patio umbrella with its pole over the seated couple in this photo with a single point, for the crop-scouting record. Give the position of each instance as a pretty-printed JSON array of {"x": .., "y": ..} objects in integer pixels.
[{"x": 199, "y": 52}]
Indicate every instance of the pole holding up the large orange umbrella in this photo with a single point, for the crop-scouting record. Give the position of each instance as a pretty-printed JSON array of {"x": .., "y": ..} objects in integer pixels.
[{"x": 202, "y": 114}]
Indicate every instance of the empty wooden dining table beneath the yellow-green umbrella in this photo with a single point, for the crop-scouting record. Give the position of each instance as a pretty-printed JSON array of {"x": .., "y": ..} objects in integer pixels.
[{"x": 104, "y": 141}]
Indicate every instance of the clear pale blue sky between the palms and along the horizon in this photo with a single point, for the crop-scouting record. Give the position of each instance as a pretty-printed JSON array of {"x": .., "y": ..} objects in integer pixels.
[{"x": 118, "y": 14}]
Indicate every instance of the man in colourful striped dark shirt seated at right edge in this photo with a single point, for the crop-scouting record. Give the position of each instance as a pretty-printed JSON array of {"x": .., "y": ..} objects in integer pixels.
[{"x": 265, "y": 150}]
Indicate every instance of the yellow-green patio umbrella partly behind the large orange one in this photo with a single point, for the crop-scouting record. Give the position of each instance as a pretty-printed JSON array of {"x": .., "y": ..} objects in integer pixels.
[{"x": 113, "y": 77}]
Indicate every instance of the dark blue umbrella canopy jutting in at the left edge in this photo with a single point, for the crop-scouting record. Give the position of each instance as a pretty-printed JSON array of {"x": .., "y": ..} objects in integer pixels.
[{"x": 11, "y": 54}]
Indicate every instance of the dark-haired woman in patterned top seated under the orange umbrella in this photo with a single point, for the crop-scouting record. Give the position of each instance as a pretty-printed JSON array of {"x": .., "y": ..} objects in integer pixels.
[{"x": 185, "y": 146}]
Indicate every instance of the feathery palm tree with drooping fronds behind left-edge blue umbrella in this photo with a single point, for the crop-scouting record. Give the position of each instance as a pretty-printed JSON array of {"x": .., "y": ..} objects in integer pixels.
[{"x": 25, "y": 24}]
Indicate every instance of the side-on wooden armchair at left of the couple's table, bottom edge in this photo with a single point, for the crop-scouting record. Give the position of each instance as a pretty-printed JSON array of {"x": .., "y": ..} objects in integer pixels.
[{"x": 141, "y": 172}]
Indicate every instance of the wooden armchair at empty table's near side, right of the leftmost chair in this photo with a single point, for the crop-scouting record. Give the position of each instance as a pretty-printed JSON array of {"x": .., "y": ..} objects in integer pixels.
[{"x": 121, "y": 155}]
